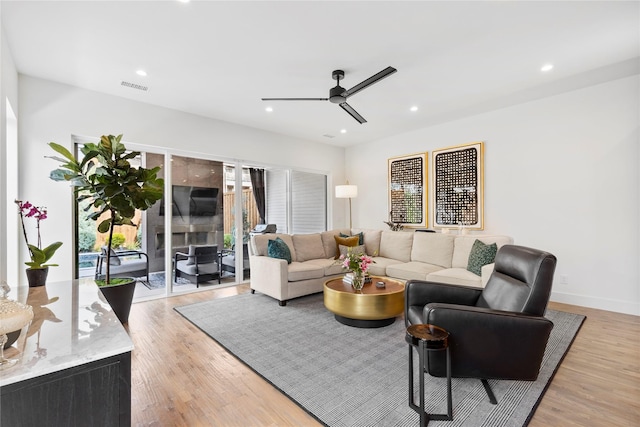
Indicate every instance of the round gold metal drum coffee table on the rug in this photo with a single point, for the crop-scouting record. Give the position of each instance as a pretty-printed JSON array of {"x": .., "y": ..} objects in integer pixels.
[{"x": 372, "y": 307}]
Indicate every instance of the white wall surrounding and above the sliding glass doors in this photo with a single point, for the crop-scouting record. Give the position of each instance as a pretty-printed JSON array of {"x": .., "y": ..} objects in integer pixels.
[{"x": 53, "y": 112}]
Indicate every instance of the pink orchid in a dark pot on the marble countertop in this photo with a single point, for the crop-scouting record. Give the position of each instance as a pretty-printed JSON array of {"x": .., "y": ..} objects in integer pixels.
[{"x": 38, "y": 270}]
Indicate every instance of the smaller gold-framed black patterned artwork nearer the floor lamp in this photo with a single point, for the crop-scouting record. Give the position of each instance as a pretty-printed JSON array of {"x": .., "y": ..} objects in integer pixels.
[{"x": 407, "y": 178}]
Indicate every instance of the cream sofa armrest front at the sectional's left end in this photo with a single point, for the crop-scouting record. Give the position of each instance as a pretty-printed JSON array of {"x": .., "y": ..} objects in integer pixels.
[{"x": 269, "y": 276}]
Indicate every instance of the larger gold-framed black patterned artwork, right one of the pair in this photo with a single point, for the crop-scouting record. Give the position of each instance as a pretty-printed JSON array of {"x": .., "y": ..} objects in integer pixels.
[{"x": 458, "y": 186}]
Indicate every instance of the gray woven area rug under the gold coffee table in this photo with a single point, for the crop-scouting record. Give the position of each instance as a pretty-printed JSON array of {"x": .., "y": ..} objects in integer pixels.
[{"x": 345, "y": 376}]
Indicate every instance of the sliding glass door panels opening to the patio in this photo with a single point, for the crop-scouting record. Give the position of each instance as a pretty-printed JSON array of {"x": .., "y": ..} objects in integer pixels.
[{"x": 197, "y": 236}]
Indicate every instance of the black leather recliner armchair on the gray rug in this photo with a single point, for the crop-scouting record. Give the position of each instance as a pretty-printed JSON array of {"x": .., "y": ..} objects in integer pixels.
[{"x": 498, "y": 332}]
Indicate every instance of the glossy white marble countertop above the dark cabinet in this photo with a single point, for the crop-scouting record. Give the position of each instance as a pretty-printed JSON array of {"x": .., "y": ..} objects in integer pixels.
[{"x": 72, "y": 325}]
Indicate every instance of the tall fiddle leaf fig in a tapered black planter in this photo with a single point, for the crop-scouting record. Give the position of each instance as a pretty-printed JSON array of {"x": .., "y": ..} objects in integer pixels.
[{"x": 105, "y": 177}]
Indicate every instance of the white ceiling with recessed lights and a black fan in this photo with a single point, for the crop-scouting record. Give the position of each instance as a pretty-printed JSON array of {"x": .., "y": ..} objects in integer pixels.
[{"x": 217, "y": 59}]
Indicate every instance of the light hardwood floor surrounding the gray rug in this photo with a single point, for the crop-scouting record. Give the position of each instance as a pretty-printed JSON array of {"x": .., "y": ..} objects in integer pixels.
[{"x": 181, "y": 377}]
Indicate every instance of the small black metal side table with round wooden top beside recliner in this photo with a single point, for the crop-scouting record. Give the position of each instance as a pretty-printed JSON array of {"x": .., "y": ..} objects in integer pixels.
[{"x": 428, "y": 338}]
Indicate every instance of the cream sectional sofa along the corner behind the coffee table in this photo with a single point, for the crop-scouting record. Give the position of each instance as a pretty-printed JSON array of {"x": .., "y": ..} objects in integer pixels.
[{"x": 402, "y": 255}]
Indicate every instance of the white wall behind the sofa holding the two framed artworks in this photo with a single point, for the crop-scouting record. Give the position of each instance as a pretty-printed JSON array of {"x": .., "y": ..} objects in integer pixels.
[{"x": 561, "y": 174}]
